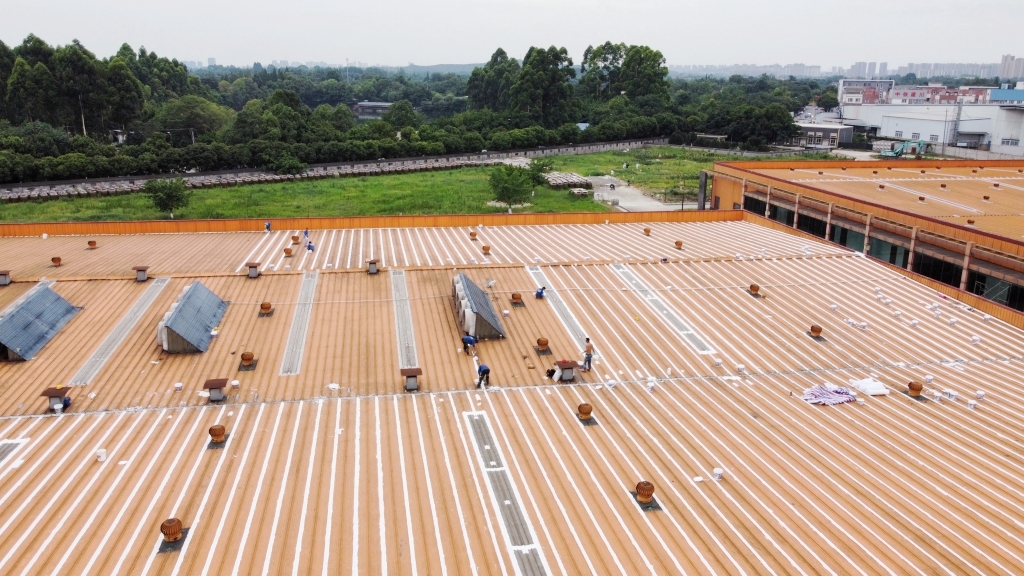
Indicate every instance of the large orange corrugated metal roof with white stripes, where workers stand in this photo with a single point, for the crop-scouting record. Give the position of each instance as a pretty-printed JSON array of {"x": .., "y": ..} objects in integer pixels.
[{"x": 335, "y": 470}]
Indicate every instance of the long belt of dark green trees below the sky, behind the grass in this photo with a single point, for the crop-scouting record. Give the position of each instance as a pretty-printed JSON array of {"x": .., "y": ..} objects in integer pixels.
[{"x": 67, "y": 114}]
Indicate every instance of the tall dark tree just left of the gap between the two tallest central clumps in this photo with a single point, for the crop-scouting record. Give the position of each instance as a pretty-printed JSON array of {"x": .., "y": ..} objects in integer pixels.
[{"x": 543, "y": 92}]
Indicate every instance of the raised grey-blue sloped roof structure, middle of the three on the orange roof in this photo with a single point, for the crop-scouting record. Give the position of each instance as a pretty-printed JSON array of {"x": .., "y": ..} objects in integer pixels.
[{"x": 190, "y": 324}]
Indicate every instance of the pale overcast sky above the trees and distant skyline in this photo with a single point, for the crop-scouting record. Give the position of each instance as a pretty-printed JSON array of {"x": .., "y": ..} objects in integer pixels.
[{"x": 428, "y": 32}]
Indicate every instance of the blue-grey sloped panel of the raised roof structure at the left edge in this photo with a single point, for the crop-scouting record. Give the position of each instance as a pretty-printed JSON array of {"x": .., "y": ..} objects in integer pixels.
[{"x": 27, "y": 328}]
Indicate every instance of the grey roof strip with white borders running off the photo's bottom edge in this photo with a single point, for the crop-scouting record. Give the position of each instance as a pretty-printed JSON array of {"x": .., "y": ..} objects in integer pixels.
[{"x": 518, "y": 530}]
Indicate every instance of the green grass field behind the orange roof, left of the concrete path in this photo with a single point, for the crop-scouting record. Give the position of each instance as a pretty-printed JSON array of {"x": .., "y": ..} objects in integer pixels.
[{"x": 453, "y": 192}]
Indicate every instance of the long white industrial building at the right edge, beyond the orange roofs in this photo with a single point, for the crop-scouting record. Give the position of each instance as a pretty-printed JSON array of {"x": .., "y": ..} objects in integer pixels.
[{"x": 994, "y": 128}]
